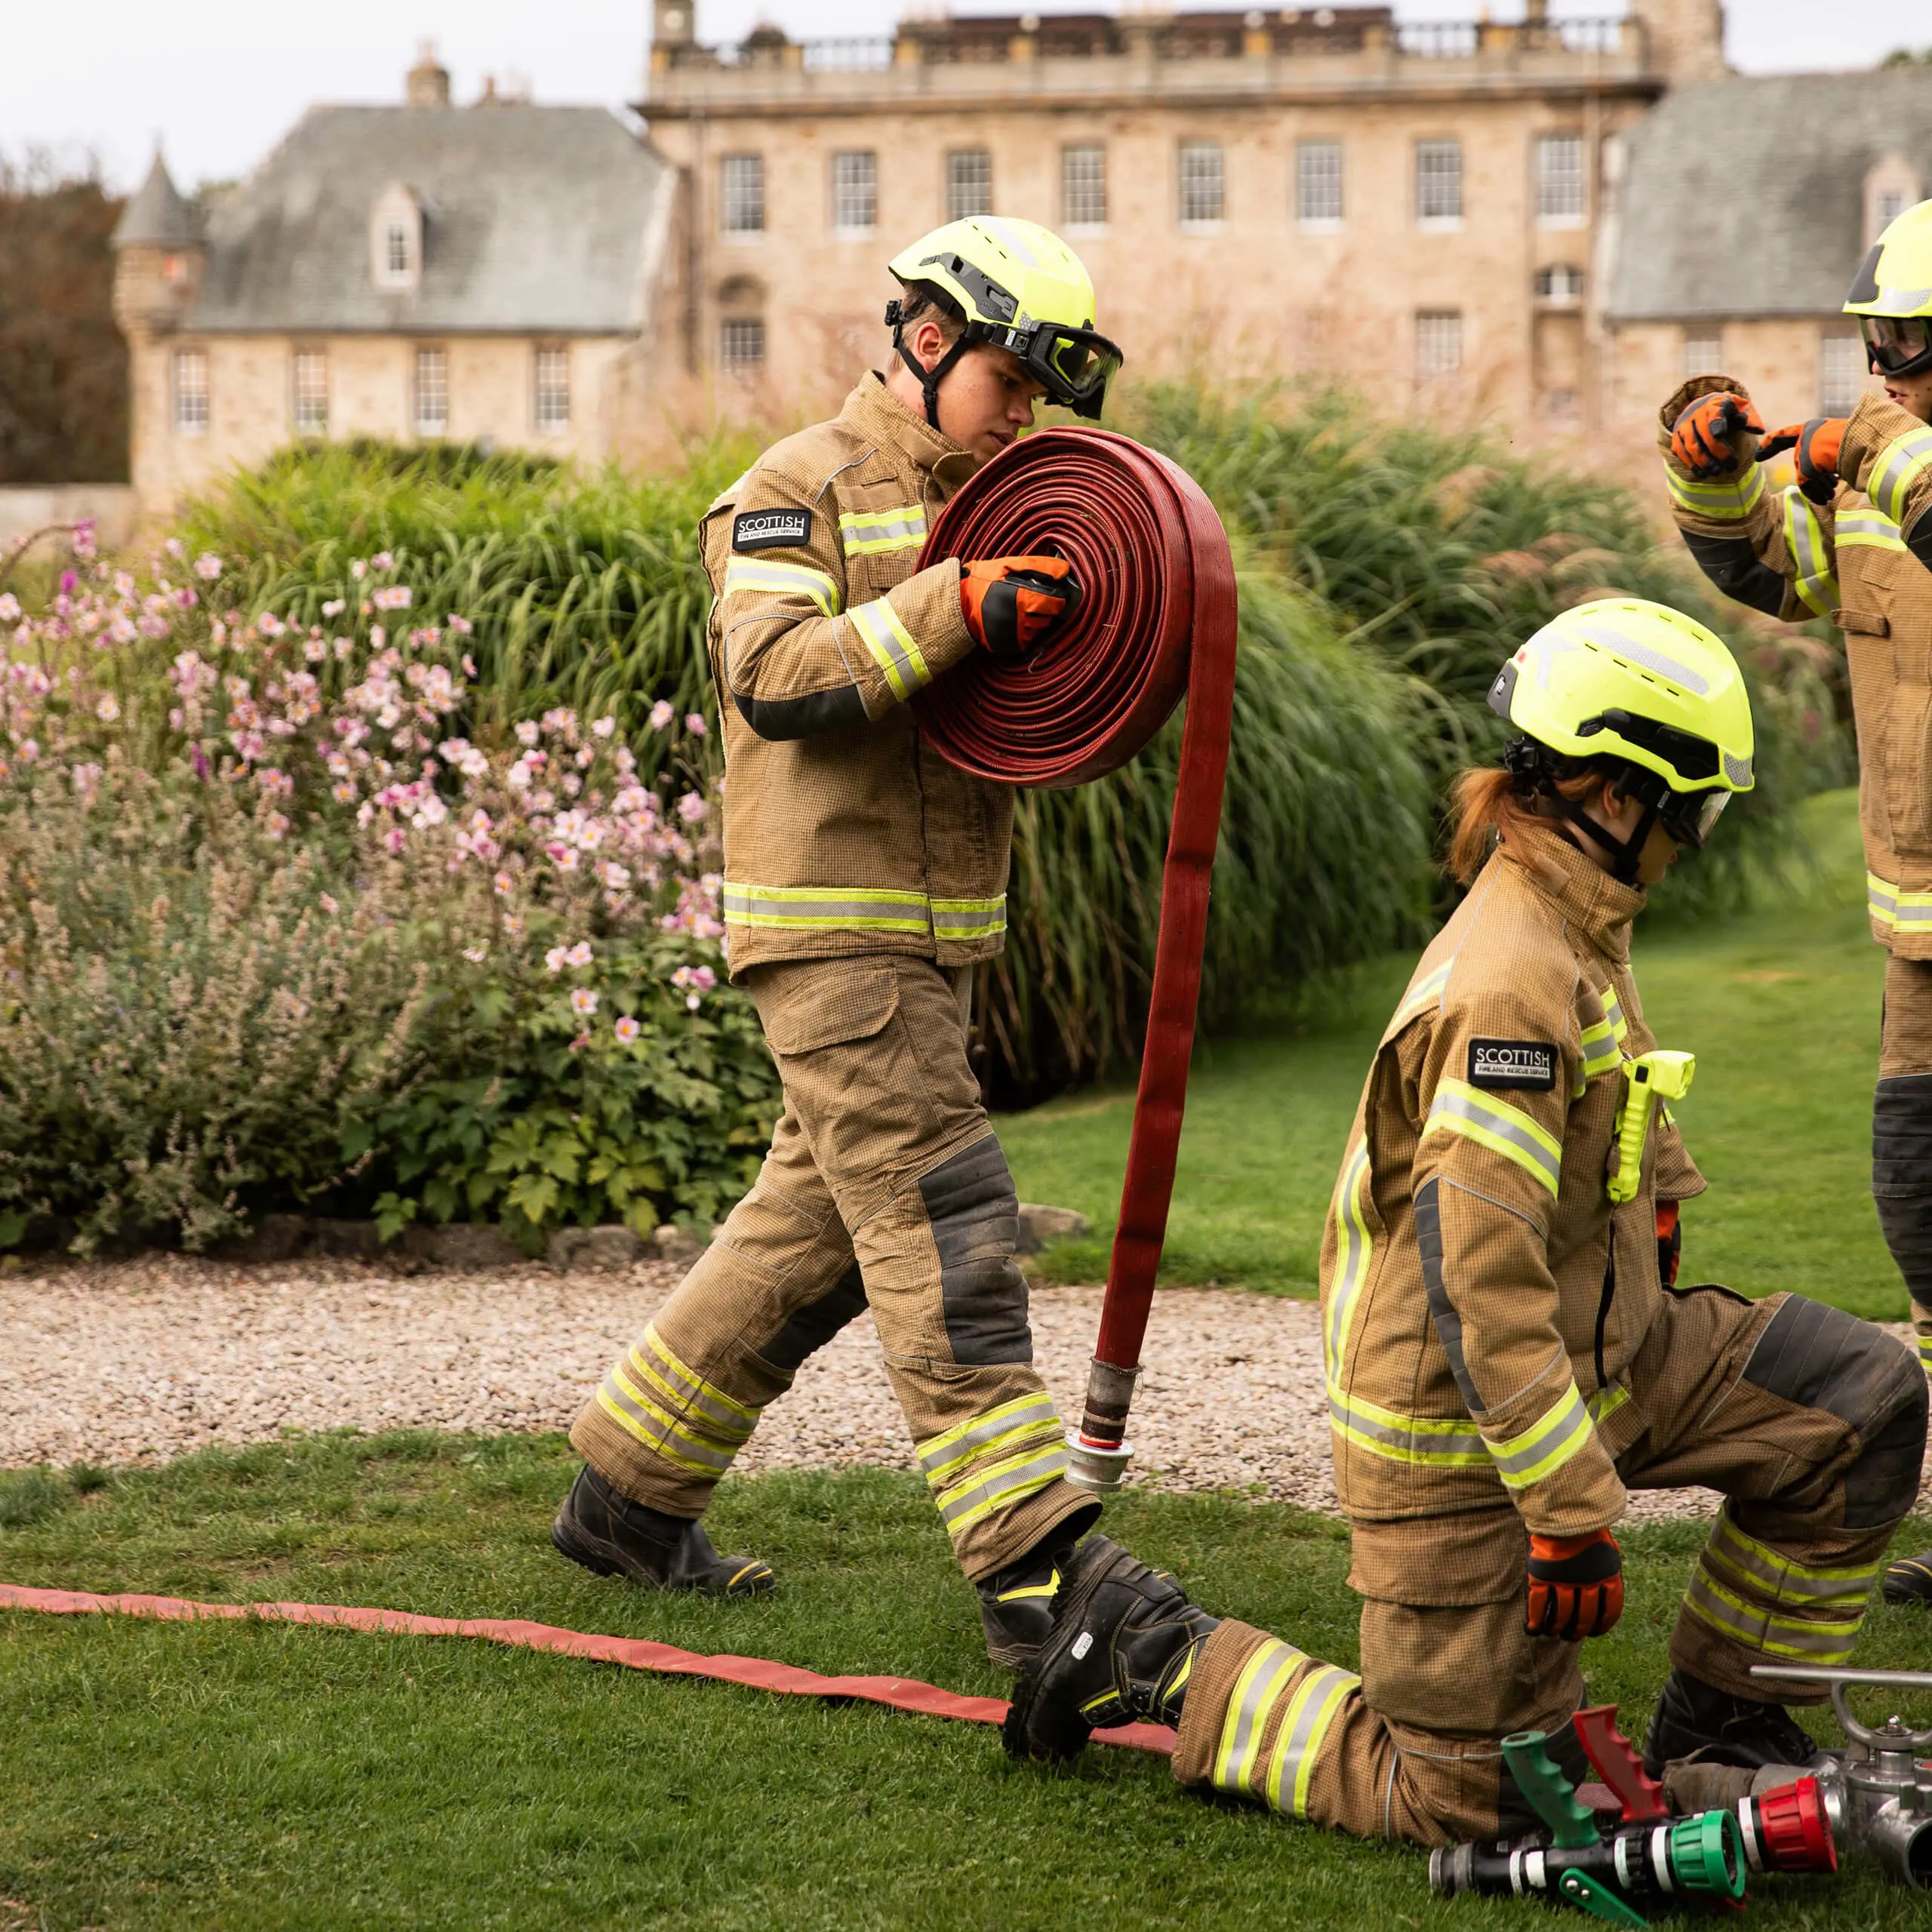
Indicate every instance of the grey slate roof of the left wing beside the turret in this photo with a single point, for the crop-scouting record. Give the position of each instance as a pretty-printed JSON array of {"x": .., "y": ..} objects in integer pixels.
[{"x": 536, "y": 221}]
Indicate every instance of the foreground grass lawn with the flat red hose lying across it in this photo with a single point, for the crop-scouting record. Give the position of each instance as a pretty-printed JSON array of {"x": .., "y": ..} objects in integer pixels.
[{"x": 264, "y": 1776}]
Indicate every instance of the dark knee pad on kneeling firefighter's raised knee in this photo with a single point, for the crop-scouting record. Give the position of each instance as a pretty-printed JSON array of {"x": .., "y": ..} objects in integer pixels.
[{"x": 1827, "y": 1359}]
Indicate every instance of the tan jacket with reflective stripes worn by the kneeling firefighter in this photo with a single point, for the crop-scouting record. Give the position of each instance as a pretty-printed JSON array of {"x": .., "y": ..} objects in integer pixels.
[{"x": 1481, "y": 1295}]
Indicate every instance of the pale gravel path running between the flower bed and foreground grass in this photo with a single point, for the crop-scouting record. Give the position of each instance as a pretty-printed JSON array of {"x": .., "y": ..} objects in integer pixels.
[{"x": 140, "y": 1361}]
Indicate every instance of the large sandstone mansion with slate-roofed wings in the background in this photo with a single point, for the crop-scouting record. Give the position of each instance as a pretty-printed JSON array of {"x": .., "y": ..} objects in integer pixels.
[{"x": 1539, "y": 223}]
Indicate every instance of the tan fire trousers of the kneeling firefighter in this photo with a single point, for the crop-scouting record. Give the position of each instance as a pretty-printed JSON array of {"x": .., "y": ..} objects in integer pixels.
[{"x": 1811, "y": 1425}]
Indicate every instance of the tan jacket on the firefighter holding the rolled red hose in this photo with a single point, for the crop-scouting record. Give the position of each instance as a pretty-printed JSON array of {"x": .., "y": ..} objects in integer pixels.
[{"x": 843, "y": 832}]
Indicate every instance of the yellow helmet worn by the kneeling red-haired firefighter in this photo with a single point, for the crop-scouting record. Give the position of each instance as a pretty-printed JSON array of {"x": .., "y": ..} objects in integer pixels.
[{"x": 1647, "y": 689}]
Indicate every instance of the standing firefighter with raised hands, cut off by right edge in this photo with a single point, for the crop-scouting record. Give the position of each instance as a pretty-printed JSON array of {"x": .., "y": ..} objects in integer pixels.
[{"x": 1852, "y": 542}]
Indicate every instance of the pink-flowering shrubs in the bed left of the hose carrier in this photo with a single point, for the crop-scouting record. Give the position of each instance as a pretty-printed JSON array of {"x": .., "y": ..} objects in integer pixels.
[{"x": 287, "y": 934}]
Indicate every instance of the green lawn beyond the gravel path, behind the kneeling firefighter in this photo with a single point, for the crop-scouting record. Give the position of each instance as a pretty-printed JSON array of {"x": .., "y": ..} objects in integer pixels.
[{"x": 1778, "y": 1006}]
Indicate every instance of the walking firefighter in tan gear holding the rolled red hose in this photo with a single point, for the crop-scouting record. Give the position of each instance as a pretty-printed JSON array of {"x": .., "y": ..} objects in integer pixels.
[{"x": 865, "y": 878}]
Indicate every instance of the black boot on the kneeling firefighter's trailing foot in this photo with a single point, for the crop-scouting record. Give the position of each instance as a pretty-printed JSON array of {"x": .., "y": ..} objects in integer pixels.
[{"x": 1122, "y": 1649}]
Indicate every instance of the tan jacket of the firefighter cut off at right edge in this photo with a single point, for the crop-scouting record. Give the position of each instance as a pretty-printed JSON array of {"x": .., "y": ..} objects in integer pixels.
[{"x": 1863, "y": 561}]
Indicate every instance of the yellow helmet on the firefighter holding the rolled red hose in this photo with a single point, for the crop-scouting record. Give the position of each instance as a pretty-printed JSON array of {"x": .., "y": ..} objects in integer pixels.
[{"x": 1021, "y": 289}]
